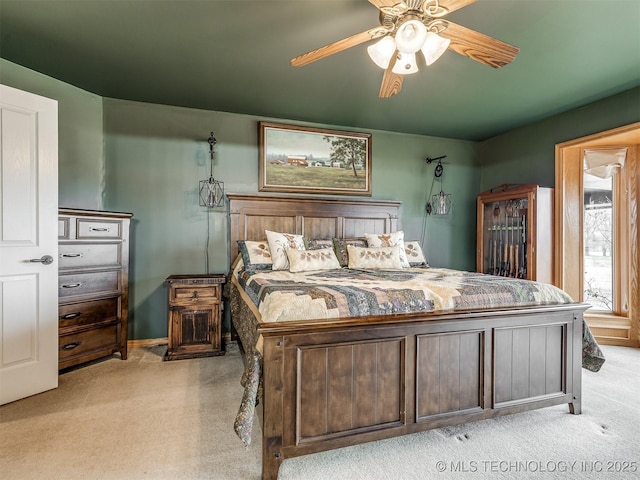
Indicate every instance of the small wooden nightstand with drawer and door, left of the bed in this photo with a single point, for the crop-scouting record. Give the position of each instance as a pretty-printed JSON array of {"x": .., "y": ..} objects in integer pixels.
[{"x": 195, "y": 320}]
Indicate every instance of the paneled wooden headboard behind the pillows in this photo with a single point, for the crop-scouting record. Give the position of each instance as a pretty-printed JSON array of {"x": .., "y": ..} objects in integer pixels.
[{"x": 313, "y": 217}]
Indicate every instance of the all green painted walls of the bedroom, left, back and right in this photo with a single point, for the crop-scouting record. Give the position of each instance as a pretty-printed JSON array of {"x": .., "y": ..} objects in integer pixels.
[{"x": 148, "y": 159}]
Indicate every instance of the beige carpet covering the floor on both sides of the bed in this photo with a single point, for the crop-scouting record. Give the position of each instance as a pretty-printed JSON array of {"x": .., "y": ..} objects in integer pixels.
[{"x": 149, "y": 419}]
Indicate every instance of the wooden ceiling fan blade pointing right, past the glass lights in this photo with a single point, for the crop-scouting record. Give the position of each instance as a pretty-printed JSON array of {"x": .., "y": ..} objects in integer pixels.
[{"x": 479, "y": 47}]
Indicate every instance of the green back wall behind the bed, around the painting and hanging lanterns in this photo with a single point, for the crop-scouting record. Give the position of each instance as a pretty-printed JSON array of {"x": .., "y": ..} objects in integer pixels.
[{"x": 156, "y": 155}]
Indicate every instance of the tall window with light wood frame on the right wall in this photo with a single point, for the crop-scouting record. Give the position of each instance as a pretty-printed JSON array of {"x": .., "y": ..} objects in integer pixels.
[{"x": 596, "y": 240}]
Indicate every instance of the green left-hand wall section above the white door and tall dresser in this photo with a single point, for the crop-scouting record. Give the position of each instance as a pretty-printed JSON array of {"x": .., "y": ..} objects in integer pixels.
[{"x": 80, "y": 139}]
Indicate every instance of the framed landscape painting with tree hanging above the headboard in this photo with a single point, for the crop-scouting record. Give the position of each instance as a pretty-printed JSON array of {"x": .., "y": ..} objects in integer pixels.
[{"x": 313, "y": 160}]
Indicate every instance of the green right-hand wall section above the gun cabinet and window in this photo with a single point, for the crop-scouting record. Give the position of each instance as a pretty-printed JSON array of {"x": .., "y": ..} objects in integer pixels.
[{"x": 527, "y": 154}]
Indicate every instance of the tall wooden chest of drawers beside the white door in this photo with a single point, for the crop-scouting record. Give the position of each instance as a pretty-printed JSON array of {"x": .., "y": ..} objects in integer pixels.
[{"x": 93, "y": 285}]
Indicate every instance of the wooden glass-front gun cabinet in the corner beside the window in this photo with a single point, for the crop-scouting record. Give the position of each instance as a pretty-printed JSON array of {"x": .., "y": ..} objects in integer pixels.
[{"x": 515, "y": 232}]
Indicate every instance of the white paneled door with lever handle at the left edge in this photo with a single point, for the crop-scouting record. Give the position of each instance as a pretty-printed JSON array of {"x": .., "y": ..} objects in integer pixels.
[{"x": 28, "y": 230}]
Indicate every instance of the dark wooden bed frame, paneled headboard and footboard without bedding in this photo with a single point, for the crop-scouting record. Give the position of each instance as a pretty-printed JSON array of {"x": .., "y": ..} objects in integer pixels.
[{"x": 331, "y": 384}]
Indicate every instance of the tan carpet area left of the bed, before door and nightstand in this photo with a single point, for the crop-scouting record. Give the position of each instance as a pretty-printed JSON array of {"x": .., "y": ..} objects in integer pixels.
[{"x": 133, "y": 419}]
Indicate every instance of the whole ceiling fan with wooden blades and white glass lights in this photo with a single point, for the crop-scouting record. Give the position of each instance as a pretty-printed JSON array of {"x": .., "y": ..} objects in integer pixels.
[{"x": 412, "y": 26}]
